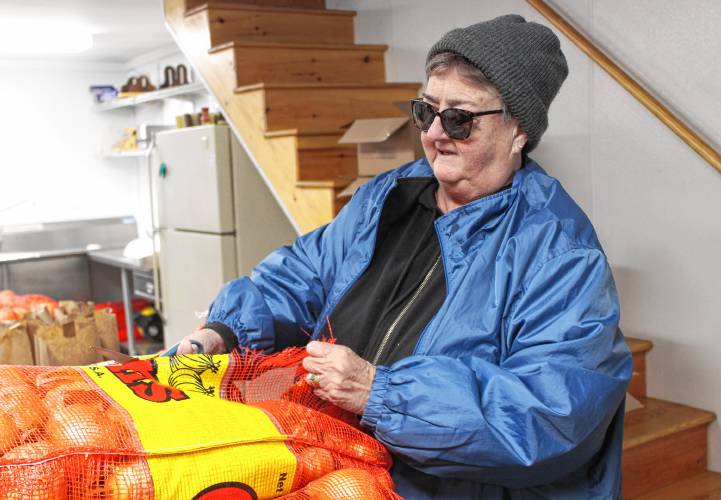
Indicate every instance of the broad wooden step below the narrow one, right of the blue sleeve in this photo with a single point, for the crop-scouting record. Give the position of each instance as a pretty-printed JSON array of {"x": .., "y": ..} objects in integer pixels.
[{"x": 663, "y": 443}]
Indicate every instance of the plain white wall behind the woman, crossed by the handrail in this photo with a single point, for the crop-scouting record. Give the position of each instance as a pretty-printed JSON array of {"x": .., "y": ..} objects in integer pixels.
[{"x": 655, "y": 204}]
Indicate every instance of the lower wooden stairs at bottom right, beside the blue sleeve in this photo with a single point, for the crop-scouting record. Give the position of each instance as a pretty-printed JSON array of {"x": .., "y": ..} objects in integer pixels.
[{"x": 664, "y": 444}]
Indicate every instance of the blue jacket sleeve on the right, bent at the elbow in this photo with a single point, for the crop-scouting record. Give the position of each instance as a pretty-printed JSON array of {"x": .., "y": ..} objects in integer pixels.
[{"x": 538, "y": 413}]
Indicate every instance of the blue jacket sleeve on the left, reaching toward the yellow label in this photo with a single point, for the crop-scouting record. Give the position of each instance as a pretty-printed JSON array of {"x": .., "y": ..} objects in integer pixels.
[{"x": 279, "y": 304}]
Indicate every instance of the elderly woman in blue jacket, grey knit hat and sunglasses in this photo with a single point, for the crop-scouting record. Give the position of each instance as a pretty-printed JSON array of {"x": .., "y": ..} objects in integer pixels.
[{"x": 475, "y": 313}]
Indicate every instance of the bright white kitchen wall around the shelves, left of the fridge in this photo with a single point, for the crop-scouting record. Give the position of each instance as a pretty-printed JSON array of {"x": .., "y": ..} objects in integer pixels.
[{"x": 52, "y": 166}]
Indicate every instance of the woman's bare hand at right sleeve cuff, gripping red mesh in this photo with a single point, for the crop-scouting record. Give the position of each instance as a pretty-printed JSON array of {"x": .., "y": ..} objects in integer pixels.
[{"x": 339, "y": 375}]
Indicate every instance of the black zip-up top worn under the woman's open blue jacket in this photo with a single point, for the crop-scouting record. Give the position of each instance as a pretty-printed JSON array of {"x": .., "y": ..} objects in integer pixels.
[{"x": 383, "y": 314}]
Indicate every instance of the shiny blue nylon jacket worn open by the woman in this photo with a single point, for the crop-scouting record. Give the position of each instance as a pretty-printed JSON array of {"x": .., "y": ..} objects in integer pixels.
[{"x": 515, "y": 388}]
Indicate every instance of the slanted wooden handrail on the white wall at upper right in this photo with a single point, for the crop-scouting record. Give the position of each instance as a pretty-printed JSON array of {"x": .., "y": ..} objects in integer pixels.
[{"x": 634, "y": 88}]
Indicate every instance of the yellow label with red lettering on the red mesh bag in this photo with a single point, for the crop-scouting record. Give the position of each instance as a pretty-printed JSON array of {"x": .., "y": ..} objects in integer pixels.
[{"x": 198, "y": 445}]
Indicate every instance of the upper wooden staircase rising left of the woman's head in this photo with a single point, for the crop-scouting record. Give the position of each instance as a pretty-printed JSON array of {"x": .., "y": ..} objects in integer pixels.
[{"x": 289, "y": 79}]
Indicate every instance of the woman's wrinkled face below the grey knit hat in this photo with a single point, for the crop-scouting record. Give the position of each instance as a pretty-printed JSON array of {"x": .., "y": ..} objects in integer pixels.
[{"x": 485, "y": 162}]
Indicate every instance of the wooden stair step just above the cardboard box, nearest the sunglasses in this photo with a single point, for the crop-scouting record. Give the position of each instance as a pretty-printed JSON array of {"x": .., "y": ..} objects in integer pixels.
[{"x": 322, "y": 107}]
